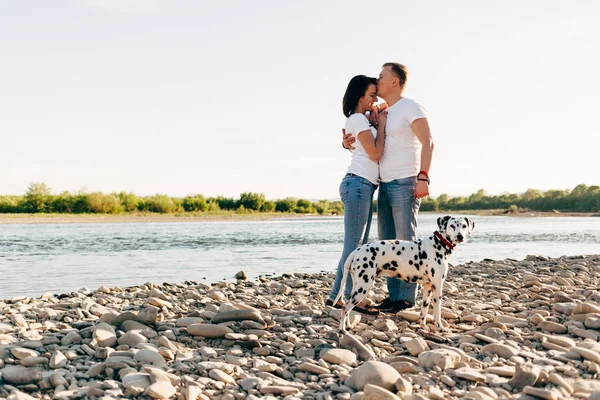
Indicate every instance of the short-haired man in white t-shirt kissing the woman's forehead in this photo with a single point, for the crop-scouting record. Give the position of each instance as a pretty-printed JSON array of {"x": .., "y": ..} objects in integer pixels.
[{"x": 403, "y": 173}]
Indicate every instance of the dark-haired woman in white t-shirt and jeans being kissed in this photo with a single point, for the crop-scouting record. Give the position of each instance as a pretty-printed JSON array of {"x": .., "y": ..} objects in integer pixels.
[{"x": 360, "y": 182}]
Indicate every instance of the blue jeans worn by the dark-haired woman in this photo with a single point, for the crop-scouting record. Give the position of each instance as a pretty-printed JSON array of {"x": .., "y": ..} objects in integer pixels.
[{"x": 357, "y": 195}]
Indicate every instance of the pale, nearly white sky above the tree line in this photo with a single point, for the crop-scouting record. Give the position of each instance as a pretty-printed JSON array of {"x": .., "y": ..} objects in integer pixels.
[{"x": 225, "y": 97}]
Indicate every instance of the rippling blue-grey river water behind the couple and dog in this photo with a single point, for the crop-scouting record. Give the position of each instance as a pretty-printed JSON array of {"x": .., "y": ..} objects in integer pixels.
[{"x": 36, "y": 258}]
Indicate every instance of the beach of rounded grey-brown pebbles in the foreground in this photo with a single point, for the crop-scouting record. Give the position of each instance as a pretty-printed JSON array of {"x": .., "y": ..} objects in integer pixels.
[{"x": 518, "y": 329}]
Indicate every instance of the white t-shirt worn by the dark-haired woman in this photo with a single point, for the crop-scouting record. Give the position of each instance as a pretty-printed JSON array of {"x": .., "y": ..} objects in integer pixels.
[{"x": 361, "y": 164}]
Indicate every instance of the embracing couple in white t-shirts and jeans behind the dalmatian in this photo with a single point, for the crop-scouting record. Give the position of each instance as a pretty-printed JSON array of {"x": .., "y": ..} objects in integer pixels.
[{"x": 392, "y": 149}]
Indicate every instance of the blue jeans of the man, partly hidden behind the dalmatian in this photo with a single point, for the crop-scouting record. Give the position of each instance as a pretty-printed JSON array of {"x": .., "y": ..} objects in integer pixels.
[{"x": 397, "y": 211}]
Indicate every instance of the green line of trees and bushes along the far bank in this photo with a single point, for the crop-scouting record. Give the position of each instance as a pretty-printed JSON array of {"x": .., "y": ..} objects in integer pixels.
[{"x": 40, "y": 199}]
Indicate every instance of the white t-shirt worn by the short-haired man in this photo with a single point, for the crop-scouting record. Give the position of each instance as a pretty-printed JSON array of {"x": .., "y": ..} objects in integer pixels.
[{"x": 402, "y": 152}]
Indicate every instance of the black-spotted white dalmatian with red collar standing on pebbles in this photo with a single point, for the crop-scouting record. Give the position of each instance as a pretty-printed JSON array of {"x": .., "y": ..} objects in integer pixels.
[{"x": 423, "y": 261}]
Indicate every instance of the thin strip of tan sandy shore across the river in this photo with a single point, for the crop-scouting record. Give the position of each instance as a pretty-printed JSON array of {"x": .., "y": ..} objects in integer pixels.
[{"x": 6, "y": 219}]
